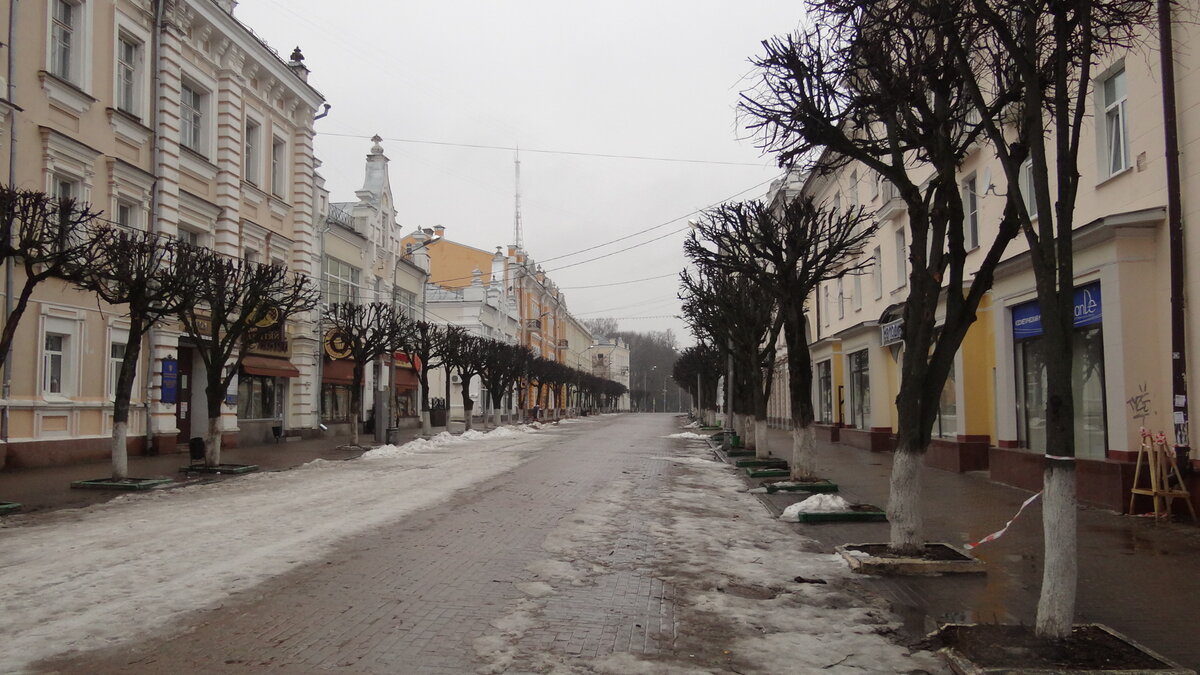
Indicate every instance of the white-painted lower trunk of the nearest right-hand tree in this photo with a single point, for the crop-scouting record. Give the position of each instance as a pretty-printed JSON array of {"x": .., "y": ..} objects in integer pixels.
[{"x": 1057, "y": 605}]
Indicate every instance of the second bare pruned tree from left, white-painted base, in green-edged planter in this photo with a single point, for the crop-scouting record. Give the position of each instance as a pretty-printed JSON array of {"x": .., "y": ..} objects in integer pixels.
[{"x": 153, "y": 277}]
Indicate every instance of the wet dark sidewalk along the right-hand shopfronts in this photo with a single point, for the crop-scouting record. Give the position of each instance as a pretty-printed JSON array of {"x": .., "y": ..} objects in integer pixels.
[{"x": 1136, "y": 576}]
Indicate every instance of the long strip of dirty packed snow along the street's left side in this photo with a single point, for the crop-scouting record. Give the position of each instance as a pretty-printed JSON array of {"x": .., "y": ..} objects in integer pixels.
[{"x": 91, "y": 578}]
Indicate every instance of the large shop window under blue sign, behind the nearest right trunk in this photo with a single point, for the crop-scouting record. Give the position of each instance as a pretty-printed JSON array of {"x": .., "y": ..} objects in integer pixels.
[{"x": 1088, "y": 378}]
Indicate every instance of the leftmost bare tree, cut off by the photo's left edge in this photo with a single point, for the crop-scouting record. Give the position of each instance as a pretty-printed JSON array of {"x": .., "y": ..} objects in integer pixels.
[{"x": 50, "y": 238}]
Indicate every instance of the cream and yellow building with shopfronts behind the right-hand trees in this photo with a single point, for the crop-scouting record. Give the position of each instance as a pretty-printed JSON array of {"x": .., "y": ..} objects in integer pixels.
[{"x": 992, "y": 409}]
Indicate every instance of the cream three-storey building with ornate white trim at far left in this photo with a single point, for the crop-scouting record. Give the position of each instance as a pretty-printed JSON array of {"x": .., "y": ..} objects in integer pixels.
[{"x": 171, "y": 117}]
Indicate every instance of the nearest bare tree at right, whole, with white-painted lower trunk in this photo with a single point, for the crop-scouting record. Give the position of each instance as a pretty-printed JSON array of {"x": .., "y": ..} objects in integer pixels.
[{"x": 1048, "y": 52}]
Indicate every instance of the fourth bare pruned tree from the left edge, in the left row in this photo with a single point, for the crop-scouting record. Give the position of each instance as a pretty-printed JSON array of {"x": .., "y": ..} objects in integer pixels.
[{"x": 367, "y": 332}]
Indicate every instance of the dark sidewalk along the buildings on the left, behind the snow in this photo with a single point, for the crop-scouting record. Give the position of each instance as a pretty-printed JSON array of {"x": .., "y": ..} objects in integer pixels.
[{"x": 50, "y": 488}]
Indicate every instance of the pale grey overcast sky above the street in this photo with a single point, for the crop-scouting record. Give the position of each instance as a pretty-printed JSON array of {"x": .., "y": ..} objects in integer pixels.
[{"x": 653, "y": 79}]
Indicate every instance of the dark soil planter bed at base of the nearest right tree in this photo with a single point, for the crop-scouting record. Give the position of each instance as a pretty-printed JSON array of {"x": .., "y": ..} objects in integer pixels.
[{"x": 1093, "y": 649}]
